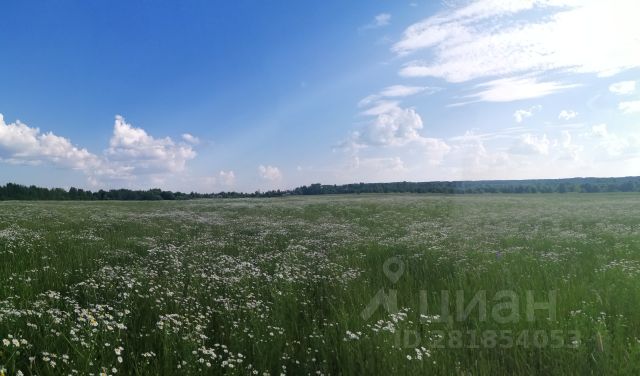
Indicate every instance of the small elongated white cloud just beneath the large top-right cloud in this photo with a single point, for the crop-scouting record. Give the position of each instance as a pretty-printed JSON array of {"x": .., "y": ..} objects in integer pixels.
[{"x": 515, "y": 88}]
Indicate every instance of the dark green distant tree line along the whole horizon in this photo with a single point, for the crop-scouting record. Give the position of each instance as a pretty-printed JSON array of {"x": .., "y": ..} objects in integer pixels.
[{"x": 12, "y": 191}]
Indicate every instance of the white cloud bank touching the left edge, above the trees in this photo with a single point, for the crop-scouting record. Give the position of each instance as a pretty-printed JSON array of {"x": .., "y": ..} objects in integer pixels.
[{"x": 21, "y": 144}]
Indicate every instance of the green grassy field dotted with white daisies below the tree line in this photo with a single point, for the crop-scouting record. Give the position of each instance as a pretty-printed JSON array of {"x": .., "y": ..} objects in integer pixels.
[{"x": 322, "y": 285}]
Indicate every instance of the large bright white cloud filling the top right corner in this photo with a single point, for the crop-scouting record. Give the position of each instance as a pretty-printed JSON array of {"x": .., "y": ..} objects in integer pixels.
[{"x": 504, "y": 38}]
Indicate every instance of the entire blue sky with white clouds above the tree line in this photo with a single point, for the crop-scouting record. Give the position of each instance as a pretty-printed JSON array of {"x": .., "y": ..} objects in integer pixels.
[{"x": 247, "y": 95}]
